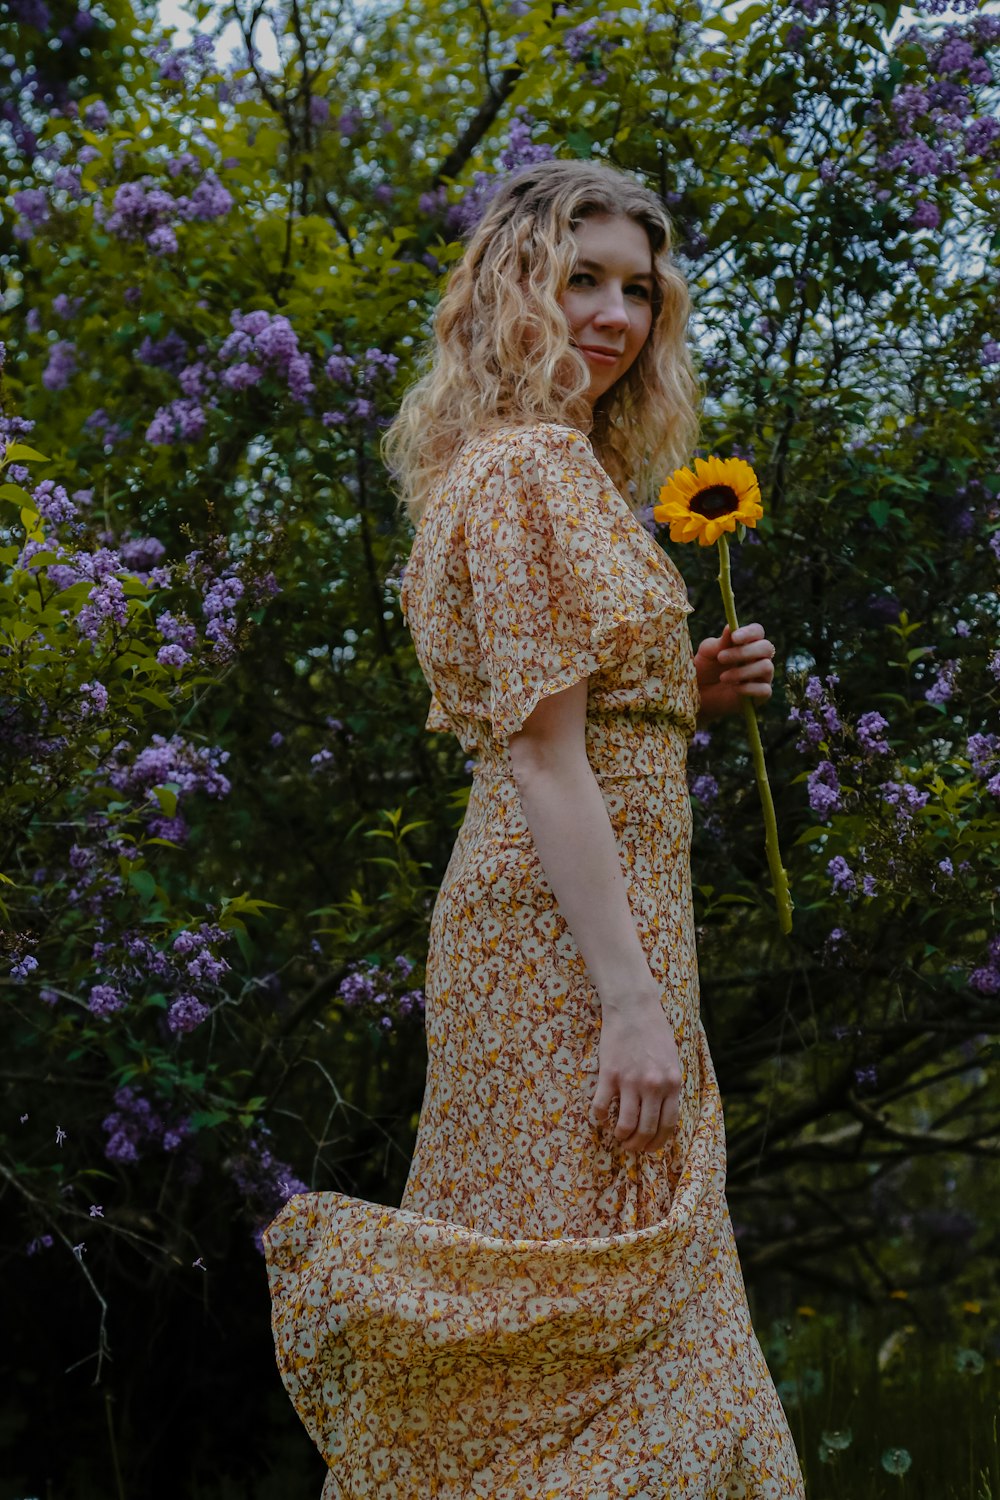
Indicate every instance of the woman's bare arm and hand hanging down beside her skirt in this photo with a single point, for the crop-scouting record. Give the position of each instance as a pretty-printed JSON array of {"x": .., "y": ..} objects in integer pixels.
[{"x": 573, "y": 835}]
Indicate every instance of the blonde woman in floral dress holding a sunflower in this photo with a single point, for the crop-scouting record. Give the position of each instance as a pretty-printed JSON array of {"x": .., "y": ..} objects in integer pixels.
[{"x": 557, "y": 1309}]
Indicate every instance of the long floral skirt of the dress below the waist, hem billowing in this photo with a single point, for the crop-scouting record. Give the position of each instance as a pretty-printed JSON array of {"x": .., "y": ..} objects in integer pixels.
[{"x": 545, "y": 1315}]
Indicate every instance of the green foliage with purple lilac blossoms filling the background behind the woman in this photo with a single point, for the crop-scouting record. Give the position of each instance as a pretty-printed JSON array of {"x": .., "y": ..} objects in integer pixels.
[{"x": 223, "y": 821}]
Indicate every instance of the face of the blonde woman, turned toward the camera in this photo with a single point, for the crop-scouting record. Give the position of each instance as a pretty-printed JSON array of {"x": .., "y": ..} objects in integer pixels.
[{"x": 609, "y": 299}]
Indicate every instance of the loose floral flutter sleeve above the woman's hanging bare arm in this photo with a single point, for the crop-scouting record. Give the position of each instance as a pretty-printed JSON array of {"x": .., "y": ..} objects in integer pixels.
[{"x": 566, "y": 580}]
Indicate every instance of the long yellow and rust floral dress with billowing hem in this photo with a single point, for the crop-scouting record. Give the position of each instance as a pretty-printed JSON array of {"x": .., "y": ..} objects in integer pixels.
[{"x": 546, "y": 1315}]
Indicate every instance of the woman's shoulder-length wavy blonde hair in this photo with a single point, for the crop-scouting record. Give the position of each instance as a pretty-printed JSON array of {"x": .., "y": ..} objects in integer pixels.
[{"x": 479, "y": 370}]
